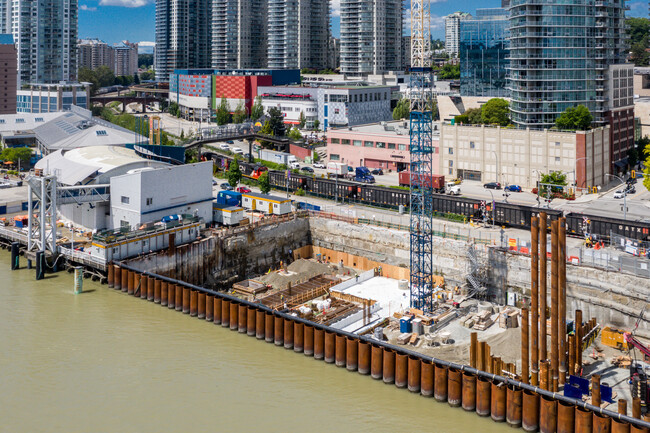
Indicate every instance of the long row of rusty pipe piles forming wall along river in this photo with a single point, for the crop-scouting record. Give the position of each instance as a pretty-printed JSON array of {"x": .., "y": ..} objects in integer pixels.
[{"x": 503, "y": 397}]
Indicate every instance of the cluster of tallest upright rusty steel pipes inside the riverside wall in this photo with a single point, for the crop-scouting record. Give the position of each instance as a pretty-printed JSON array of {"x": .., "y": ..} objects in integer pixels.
[{"x": 555, "y": 366}]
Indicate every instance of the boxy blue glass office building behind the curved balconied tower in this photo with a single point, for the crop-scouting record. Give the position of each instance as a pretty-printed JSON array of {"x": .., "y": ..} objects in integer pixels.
[{"x": 483, "y": 53}]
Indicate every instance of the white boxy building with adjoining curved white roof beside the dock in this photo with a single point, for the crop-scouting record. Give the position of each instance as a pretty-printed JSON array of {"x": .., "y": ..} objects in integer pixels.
[{"x": 151, "y": 189}]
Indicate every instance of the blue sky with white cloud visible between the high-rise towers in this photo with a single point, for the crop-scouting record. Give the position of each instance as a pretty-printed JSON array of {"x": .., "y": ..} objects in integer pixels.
[{"x": 116, "y": 20}]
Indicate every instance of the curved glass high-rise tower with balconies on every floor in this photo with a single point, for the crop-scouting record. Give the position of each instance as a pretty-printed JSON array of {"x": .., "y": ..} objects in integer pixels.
[{"x": 560, "y": 54}]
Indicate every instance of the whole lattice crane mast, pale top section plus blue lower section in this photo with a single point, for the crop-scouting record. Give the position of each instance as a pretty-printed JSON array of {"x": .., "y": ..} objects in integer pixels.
[{"x": 421, "y": 150}]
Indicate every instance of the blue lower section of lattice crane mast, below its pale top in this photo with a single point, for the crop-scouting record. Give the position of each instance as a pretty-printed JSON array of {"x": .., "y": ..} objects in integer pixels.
[{"x": 421, "y": 150}]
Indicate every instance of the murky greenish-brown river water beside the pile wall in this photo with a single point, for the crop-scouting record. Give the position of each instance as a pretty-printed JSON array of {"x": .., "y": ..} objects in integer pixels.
[{"x": 103, "y": 361}]
